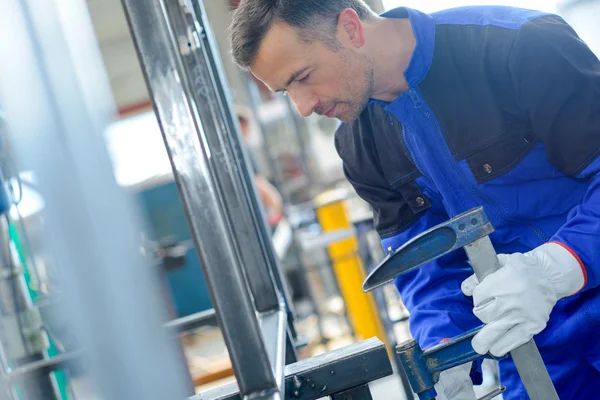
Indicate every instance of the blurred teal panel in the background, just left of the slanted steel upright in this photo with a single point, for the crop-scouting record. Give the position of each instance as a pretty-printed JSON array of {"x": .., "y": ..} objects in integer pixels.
[{"x": 166, "y": 218}]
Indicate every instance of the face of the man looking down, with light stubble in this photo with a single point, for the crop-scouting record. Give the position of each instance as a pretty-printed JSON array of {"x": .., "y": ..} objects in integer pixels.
[{"x": 337, "y": 83}]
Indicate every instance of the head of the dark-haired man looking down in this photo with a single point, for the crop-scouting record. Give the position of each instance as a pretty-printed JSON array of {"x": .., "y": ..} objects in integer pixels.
[{"x": 312, "y": 49}]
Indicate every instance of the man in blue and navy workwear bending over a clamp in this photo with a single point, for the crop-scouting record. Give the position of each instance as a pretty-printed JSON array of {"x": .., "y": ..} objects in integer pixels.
[{"x": 477, "y": 106}]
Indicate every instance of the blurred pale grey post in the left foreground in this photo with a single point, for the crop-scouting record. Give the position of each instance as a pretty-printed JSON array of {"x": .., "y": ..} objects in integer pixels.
[{"x": 90, "y": 229}]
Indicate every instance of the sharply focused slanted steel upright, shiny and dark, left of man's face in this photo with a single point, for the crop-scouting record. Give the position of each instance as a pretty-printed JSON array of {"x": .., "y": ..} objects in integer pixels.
[{"x": 210, "y": 168}]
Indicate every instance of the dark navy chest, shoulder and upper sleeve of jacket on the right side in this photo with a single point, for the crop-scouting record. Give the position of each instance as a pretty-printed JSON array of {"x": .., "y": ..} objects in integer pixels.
[{"x": 497, "y": 92}]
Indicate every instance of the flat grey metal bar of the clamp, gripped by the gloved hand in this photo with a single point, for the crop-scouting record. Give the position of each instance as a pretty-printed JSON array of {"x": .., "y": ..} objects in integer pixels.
[{"x": 527, "y": 358}]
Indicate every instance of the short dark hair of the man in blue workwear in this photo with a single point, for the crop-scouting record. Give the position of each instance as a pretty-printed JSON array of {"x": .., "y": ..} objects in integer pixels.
[{"x": 253, "y": 18}]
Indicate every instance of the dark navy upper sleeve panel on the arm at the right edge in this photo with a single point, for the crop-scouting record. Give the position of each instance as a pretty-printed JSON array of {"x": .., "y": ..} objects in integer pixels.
[{"x": 557, "y": 81}]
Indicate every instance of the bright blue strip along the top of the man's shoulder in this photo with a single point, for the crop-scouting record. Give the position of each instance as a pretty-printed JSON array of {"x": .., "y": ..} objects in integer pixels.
[{"x": 499, "y": 16}]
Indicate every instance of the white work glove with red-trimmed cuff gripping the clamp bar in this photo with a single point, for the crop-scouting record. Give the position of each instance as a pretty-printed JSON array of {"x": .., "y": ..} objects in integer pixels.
[{"x": 515, "y": 302}]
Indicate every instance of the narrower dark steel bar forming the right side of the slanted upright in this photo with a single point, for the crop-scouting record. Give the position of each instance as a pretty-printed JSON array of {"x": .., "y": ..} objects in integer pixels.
[{"x": 239, "y": 192}]
